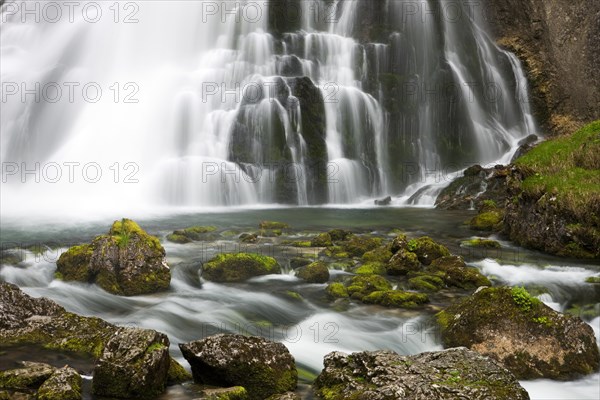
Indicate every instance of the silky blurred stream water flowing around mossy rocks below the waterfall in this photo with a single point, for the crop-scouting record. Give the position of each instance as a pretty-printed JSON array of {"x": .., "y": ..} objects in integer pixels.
[{"x": 309, "y": 326}]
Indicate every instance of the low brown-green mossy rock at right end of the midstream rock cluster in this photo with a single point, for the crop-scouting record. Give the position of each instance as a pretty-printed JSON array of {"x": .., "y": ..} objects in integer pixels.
[{"x": 456, "y": 273}]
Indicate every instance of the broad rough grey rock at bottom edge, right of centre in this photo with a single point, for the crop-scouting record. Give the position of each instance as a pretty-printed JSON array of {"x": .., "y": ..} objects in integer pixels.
[{"x": 384, "y": 375}]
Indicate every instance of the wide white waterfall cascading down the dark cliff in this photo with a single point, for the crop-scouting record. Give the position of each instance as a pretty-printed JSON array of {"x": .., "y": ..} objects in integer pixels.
[{"x": 203, "y": 104}]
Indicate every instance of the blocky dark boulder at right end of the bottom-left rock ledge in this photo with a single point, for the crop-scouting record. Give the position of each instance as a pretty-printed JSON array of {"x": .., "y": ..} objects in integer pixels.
[{"x": 134, "y": 364}]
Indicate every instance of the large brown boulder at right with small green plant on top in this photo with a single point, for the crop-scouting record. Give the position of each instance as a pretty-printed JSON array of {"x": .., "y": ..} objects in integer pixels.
[{"x": 526, "y": 336}]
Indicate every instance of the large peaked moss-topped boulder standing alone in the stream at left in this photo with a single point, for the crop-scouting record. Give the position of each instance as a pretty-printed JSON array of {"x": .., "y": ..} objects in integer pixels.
[{"x": 127, "y": 261}]
